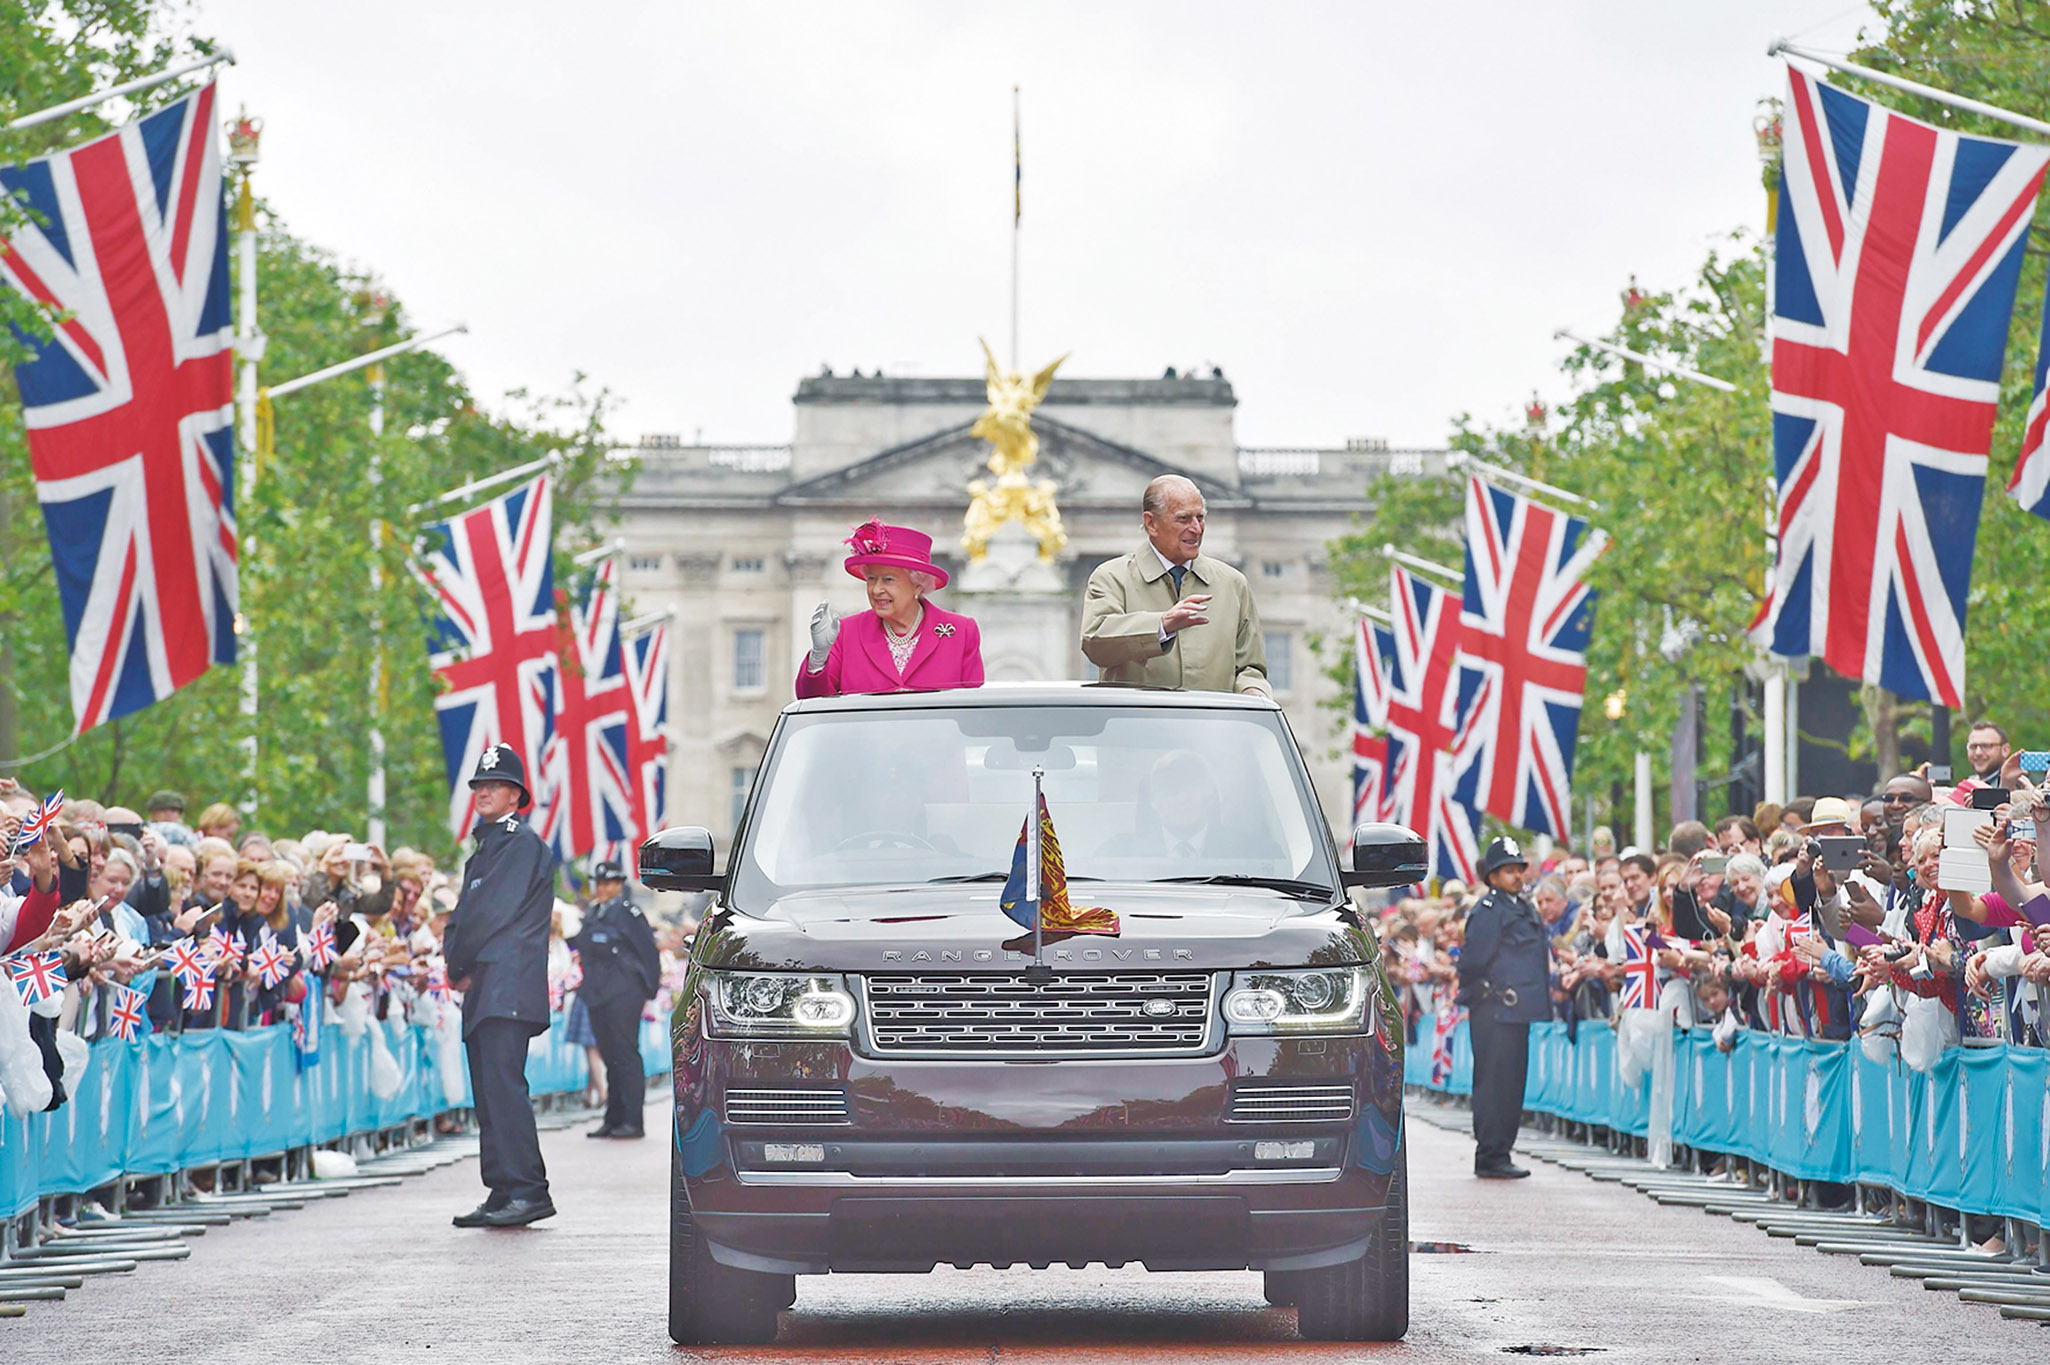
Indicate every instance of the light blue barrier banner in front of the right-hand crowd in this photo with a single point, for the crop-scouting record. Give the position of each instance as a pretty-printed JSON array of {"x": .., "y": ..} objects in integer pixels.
[{"x": 1973, "y": 1134}]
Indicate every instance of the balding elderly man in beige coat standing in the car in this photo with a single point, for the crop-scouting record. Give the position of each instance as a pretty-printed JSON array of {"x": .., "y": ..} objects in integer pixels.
[{"x": 1170, "y": 616}]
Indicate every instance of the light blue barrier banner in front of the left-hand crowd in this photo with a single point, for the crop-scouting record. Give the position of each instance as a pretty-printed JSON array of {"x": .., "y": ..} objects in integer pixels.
[{"x": 173, "y": 1102}]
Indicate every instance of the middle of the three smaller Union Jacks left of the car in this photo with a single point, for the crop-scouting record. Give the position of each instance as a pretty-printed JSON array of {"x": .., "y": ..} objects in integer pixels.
[{"x": 587, "y": 786}]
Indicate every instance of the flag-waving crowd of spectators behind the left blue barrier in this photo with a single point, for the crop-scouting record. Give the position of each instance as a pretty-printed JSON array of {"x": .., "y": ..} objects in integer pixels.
[{"x": 122, "y": 923}]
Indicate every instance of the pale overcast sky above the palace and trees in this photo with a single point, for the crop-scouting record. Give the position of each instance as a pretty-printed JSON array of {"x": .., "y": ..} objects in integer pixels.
[{"x": 1372, "y": 216}]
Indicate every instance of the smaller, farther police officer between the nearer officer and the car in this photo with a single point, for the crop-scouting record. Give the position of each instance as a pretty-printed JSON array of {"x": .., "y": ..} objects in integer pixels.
[{"x": 622, "y": 973}]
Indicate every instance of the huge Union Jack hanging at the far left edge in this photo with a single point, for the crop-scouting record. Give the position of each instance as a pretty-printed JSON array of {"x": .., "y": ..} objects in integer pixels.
[{"x": 130, "y": 405}]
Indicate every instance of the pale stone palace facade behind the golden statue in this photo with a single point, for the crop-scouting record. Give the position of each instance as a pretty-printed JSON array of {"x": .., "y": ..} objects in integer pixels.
[{"x": 745, "y": 540}]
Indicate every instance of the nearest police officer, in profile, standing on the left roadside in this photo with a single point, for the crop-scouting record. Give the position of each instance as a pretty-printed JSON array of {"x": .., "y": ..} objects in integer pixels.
[{"x": 497, "y": 954}]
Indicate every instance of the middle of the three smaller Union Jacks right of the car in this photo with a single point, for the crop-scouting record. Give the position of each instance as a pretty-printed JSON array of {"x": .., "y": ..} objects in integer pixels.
[{"x": 1424, "y": 708}]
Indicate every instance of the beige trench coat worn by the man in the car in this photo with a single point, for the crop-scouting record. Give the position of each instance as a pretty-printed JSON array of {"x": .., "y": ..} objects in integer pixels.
[{"x": 1122, "y": 626}]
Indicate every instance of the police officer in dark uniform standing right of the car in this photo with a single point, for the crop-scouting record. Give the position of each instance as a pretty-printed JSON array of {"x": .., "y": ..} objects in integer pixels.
[{"x": 1506, "y": 985}]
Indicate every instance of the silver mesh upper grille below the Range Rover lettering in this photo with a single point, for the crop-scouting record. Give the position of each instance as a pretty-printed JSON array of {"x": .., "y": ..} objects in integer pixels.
[{"x": 987, "y": 1016}]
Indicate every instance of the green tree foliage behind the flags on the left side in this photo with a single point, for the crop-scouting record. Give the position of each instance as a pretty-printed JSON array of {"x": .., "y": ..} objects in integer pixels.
[{"x": 309, "y": 554}]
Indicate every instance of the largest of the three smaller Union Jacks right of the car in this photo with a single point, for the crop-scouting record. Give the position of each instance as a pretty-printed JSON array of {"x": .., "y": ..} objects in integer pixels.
[{"x": 1524, "y": 628}]
